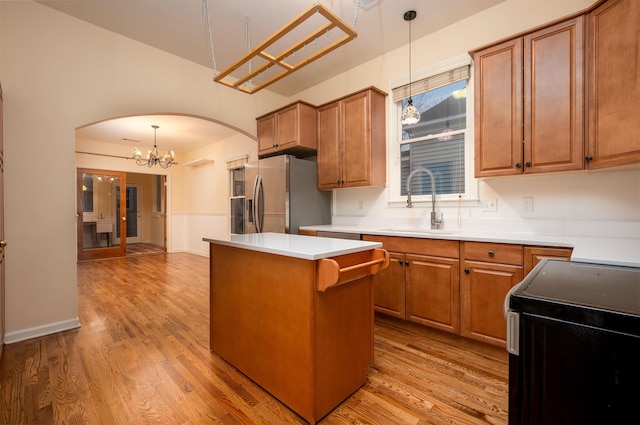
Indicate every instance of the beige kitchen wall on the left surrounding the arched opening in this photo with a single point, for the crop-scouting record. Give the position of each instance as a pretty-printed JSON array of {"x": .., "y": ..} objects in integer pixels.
[{"x": 59, "y": 73}]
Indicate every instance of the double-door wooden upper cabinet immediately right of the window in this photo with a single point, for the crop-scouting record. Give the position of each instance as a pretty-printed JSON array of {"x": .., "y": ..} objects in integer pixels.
[{"x": 529, "y": 102}]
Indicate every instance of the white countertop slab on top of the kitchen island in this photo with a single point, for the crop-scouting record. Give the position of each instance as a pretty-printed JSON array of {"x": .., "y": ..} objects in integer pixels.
[{"x": 304, "y": 247}]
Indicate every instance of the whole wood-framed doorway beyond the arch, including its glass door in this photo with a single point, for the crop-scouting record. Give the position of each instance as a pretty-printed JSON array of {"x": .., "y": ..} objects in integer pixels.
[{"x": 120, "y": 214}]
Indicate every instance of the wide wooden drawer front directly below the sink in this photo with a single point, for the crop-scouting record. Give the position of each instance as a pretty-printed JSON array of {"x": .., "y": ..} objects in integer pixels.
[{"x": 425, "y": 246}]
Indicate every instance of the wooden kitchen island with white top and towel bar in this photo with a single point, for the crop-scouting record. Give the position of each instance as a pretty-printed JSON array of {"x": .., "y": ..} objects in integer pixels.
[{"x": 295, "y": 314}]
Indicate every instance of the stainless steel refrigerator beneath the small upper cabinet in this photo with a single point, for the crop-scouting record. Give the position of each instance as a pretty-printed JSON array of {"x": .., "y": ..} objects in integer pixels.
[{"x": 281, "y": 194}]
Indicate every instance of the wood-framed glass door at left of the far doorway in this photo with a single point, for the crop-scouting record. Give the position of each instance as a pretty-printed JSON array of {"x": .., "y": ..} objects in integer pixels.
[{"x": 100, "y": 198}]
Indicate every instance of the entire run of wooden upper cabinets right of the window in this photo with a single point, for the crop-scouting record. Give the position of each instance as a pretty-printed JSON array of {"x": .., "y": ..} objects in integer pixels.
[{"x": 533, "y": 92}]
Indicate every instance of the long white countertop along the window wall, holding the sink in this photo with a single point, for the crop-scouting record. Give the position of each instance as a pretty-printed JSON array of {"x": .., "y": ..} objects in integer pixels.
[{"x": 592, "y": 249}]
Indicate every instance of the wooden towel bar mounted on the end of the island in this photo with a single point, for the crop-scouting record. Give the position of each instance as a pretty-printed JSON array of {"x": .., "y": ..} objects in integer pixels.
[{"x": 330, "y": 272}]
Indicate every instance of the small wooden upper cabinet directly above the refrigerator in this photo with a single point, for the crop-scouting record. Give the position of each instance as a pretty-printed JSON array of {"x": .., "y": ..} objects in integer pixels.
[{"x": 291, "y": 129}]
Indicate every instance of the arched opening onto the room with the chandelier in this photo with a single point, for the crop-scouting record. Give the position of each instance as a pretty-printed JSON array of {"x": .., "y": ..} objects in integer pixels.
[{"x": 106, "y": 147}]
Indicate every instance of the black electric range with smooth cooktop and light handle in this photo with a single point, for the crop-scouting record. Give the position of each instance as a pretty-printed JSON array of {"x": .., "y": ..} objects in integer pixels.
[{"x": 573, "y": 334}]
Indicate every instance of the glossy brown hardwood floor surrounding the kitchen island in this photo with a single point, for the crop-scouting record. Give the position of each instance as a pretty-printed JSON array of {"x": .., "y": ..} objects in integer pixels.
[{"x": 142, "y": 357}]
